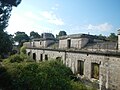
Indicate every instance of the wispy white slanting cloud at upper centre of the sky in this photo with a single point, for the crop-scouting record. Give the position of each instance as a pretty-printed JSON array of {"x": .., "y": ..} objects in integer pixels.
[{"x": 52, "y": 18}]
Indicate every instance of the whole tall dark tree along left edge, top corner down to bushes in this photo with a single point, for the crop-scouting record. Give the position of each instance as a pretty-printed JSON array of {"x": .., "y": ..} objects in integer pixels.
[{"x": 5, "y": 12}]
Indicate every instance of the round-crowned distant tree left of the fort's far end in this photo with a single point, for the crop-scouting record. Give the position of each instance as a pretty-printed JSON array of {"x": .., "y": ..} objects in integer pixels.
[{"x": 21, "y": 37}]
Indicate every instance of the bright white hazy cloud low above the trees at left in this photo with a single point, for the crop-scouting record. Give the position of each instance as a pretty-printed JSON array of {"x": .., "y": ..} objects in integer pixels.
[{"x": 21, "y": 23}]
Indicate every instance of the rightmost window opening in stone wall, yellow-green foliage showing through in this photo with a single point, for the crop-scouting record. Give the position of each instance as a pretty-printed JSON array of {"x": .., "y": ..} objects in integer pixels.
[{"x": 95, "y": 70}]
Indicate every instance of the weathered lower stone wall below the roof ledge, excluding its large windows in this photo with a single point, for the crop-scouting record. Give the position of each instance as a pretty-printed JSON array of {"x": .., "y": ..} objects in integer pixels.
[{"x": 109, "y": 65}]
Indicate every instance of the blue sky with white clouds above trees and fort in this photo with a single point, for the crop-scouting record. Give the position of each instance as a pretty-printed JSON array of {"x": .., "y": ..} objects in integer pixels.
[{"x": 73, "y": 16}]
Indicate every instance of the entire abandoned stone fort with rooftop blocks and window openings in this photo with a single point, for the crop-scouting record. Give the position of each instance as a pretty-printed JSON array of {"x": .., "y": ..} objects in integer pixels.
[{"x": 87, "y": 55}]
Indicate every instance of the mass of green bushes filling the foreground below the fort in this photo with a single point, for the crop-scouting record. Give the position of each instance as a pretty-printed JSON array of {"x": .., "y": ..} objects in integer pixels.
[{"x": 17, "y": 74}]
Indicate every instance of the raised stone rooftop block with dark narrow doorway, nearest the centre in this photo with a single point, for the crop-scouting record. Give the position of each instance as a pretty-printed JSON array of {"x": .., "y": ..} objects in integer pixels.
[{"x": 73, "y": 41}]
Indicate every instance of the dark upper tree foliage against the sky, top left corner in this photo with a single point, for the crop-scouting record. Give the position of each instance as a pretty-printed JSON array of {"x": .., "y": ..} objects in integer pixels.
[{"x": 5, "y": 11}]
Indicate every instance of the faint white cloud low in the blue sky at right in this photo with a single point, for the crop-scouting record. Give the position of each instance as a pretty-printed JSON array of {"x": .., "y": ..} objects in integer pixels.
[{"x": 100, "y": 27}]
